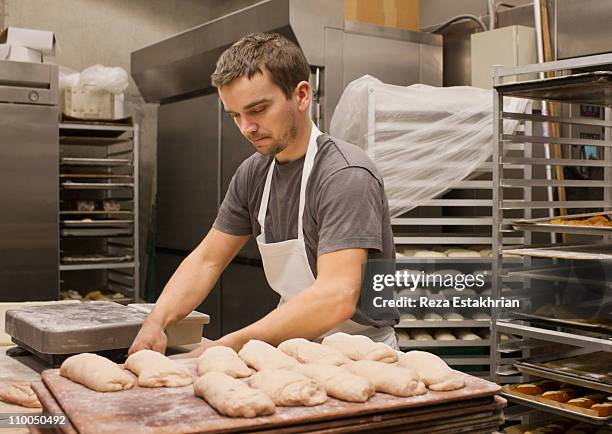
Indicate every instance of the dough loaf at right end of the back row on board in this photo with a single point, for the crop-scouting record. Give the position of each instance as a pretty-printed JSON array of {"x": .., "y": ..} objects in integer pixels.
[{"x": 358, "y": 347}]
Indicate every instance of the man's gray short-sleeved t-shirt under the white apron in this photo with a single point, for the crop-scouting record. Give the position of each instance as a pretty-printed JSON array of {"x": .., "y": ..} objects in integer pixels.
[{"x": 346, "y": 207}]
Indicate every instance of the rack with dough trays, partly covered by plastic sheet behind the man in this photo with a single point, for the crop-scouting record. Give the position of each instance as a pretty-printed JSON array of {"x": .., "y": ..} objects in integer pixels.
[{"x": 461, "y": 218}]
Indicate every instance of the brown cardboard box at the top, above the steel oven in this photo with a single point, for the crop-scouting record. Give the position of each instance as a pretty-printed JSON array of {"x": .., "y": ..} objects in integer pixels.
[{"x": 403, "y": 14}]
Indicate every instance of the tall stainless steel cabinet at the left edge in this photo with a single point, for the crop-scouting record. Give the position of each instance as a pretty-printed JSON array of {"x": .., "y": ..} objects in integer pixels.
[{"x": 29, "y": 199}]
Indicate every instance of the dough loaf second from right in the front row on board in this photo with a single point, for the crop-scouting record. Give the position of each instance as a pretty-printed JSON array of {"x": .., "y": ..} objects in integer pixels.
[{"x": 387, "y": 378}]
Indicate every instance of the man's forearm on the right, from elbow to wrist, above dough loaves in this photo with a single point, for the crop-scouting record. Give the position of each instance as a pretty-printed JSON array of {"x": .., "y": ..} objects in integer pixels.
[{"x": 310, "y": 314}]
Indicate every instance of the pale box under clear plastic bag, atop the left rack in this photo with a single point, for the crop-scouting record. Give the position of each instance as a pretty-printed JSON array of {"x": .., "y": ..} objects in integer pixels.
[{"x": 86, "y": 103}]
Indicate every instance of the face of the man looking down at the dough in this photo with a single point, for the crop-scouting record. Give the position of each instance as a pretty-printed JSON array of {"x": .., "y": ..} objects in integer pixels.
[{"x": 262, "y": 112}]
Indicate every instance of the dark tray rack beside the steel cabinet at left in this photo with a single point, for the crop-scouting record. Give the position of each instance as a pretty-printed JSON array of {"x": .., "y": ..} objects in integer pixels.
[{"x": 98, "y": 216}]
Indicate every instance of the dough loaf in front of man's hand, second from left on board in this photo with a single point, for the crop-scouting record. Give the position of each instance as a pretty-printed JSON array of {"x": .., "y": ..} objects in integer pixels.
[{"x": 156, "y": 370}]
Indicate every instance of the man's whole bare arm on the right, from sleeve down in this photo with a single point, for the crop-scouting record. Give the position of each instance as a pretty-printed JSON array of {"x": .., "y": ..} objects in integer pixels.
[{"x": 331, "y": 300}]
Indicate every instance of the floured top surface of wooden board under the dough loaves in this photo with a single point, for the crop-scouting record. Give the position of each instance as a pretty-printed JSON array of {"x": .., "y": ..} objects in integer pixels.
[{"x": 171, "y": 410}]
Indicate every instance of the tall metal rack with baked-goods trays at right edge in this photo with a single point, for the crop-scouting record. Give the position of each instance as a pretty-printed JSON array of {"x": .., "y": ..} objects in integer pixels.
[{"x": 562, "y": 279}]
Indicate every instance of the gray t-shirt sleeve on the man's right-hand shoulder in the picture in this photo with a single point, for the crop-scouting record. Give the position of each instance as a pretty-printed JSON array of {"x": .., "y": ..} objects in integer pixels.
[{"x": 350, "y": 211}]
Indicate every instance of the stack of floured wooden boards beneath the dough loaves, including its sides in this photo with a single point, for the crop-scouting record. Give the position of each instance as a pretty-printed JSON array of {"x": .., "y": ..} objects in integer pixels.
[{"x": 172, "y": 410}]
